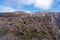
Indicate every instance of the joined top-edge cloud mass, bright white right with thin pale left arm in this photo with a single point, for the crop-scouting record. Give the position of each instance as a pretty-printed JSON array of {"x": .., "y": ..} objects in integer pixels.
[{"x": 41, "y": 4}]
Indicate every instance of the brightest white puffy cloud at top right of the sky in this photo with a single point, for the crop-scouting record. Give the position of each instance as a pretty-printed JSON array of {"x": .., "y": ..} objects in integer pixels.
[{"x": 43, "y": 4}]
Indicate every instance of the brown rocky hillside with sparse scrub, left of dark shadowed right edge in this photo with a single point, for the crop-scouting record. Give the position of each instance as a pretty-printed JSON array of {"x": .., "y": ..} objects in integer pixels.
[{"x": 25, "y": 26}]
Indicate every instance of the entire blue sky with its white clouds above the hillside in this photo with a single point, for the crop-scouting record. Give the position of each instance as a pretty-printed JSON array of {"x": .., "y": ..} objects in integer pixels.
[{"x": 30, "y": 5}]
